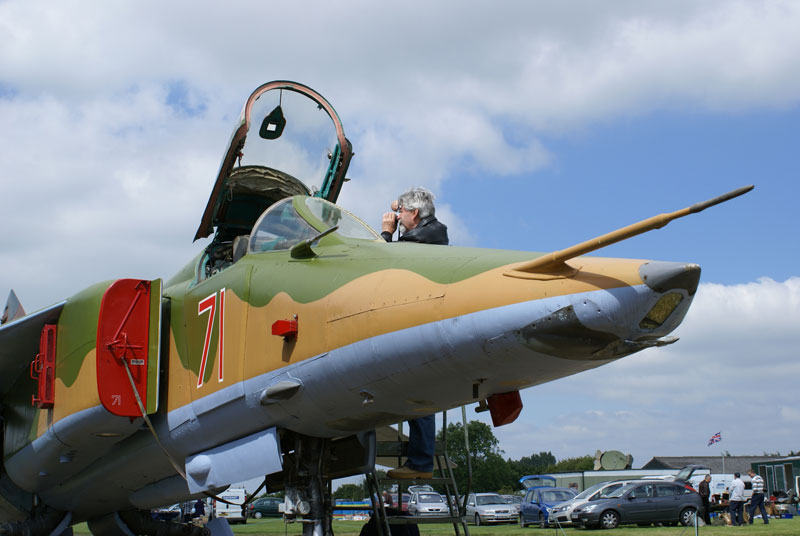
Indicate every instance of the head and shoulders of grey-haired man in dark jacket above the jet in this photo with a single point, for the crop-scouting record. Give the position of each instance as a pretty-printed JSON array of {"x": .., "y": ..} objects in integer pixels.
[{"x": 416, "y": 215}]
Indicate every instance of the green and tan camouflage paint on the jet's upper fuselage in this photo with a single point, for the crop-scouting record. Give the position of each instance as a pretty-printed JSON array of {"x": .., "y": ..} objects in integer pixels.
[{"x": 352, "y": 290}]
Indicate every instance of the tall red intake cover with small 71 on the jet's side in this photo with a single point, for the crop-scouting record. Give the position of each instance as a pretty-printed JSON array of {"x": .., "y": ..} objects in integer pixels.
[{"x": 123, "y": 334}]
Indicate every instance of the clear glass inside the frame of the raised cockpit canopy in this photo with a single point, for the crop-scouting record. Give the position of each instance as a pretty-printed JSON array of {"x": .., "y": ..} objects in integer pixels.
[{"x": 292, "y": 133}]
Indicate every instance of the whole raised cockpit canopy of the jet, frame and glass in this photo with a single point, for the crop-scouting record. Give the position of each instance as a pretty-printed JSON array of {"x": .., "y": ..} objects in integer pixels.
[{"x": 289, "y": 141}]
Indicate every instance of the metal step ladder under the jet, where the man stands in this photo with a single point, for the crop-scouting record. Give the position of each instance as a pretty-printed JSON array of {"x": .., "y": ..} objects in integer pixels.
[{"x": 442, "y": 465}]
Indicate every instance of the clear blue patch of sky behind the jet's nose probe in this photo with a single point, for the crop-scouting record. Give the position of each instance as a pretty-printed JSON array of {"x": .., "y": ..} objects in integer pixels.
[{"x": 622, "y": 171}]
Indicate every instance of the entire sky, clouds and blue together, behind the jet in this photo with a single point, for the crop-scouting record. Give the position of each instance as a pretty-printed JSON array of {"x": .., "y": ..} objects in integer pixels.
[{"x": 537, "y": 124}]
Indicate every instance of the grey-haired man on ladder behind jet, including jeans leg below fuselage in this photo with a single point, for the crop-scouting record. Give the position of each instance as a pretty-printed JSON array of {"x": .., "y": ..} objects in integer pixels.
[{"x": 415, "y": 214}]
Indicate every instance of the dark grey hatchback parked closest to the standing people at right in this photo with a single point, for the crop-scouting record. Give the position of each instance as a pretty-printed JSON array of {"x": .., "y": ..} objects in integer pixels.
[{"x": 642, "y": 503}]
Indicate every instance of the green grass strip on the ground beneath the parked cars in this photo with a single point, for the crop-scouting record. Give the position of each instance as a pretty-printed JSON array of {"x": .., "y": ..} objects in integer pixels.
[{"x": 276, "y": 527}]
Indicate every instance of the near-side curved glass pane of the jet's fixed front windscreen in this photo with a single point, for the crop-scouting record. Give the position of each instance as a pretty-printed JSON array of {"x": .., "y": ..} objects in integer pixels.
[{"x": 280, "y": 227}]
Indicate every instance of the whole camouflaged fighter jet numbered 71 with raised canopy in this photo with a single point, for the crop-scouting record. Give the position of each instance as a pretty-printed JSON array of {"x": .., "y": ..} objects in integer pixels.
[{"x": 291, "y": 337}]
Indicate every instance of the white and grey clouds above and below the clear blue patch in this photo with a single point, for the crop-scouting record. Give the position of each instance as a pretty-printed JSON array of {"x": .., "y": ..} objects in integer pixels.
[{"x": 104, "y": 175}]
